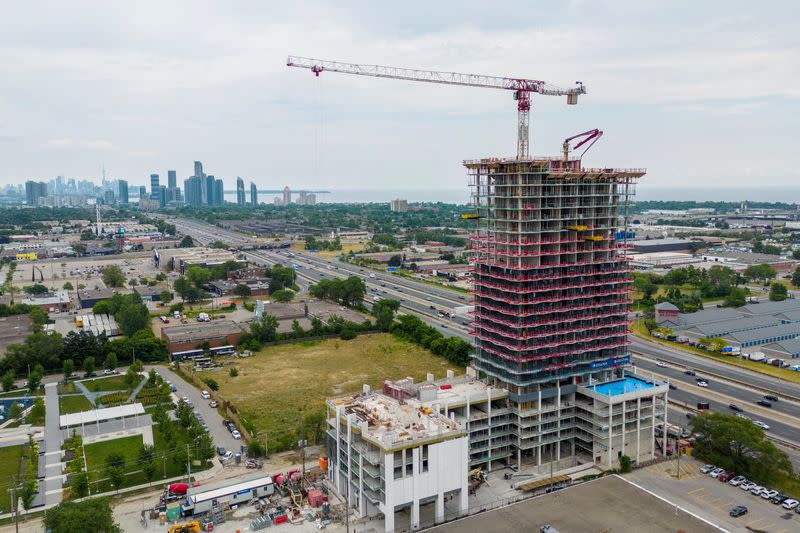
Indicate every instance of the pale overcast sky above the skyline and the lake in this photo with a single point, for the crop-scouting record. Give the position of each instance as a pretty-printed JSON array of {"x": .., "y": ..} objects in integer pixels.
[{"x": 701, "y": 93}]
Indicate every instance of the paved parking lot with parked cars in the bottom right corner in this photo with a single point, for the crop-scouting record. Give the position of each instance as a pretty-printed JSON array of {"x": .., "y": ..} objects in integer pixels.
[{"x": 713, "y": 500}]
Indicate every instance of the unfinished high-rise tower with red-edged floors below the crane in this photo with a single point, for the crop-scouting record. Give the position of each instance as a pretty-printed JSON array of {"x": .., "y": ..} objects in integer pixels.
[{"x": 551, "y": 295}]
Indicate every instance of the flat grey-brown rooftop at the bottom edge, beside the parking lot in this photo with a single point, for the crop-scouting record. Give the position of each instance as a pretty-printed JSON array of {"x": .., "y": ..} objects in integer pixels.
[{"x": 607, "y": 504}]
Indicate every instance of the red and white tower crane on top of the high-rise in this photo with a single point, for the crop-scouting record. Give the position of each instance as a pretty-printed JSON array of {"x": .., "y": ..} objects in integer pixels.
[{"x": 522, "y": 87}]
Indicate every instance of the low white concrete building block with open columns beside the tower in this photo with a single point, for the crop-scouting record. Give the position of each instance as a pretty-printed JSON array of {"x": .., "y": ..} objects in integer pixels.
[{"x": 387, "y": 455}]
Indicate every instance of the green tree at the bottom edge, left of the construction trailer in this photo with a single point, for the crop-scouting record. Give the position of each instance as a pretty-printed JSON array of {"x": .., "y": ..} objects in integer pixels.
[{"x": 70, "y": 516}]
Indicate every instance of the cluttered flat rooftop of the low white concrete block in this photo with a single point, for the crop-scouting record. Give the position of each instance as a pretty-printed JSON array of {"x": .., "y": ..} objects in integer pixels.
[{"x": 389, "y": 423}]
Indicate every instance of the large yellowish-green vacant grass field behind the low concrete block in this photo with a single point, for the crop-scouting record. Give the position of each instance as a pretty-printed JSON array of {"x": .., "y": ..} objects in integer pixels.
[{"x": 281, "y": 384}]
